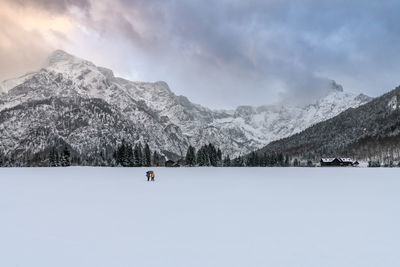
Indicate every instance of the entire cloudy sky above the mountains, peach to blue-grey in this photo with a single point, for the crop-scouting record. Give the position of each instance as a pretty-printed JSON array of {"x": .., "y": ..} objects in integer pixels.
[{"x": 218, "y": 53}]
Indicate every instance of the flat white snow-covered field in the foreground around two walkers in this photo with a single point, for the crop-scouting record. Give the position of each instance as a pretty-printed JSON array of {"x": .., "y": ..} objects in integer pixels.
[{"x": 82, "y": 217}]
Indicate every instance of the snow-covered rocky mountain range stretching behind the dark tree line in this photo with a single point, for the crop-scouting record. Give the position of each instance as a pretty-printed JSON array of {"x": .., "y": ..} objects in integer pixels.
[{"x": 87, "y": 107}]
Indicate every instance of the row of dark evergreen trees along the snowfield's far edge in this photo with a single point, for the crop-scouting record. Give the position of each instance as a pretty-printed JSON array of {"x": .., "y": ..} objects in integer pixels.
[{"x": 125, "y": 154}]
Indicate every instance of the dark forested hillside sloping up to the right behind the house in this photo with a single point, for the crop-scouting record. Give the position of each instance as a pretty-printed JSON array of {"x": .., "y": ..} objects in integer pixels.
[{"x": 369, "y": 132}]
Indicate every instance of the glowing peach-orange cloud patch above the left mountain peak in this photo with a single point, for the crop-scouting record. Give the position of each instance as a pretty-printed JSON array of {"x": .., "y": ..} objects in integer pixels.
[{"x": 27, "y": 36}]
